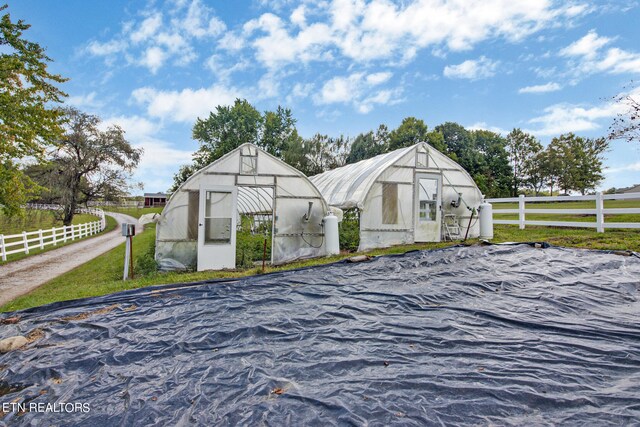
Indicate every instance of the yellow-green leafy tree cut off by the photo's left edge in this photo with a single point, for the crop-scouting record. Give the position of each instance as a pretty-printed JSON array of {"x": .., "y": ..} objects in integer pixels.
[{"x": 28, "y": 120}]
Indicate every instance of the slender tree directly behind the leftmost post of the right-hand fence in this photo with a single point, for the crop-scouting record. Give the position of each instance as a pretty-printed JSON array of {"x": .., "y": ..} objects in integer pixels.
[{"x": 522, "y": 148}]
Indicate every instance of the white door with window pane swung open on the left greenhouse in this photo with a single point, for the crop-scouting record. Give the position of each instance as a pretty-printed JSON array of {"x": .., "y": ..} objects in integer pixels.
[{"x": 217, "y": 228}]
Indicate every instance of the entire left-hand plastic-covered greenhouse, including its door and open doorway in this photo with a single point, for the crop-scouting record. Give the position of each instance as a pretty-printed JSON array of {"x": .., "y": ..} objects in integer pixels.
[{"x": 243, "y": 205}]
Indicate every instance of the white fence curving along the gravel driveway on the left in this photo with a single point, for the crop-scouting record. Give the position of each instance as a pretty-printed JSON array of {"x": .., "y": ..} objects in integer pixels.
[{"x": 23, "y": 242}]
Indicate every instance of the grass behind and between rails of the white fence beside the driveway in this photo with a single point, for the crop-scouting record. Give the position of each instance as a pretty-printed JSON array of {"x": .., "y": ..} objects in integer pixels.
[{"x": 44, "y": 218}]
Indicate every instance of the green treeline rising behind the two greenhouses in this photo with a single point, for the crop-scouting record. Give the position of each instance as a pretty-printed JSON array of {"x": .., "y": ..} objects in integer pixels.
[{"x": 501, "y": 166}]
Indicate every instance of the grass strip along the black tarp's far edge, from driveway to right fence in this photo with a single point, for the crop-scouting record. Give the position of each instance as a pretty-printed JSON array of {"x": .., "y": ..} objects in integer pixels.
[{"x": 103, "y": 275}]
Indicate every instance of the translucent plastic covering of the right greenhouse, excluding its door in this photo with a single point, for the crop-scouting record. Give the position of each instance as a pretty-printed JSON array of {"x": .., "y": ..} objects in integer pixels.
[{"x": 361, "y": 185}]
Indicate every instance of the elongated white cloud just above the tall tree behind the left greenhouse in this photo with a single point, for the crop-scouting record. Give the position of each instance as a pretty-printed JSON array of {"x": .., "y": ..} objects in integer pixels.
[{"x": 185, "y": 105}]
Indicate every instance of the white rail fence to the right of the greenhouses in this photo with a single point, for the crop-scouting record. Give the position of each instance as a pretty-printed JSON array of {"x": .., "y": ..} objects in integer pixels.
[{"x": 600, "y": 211}]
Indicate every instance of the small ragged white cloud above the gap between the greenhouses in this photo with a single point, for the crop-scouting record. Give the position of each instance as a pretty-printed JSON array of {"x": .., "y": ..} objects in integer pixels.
[{"x": 358, "y": 89}]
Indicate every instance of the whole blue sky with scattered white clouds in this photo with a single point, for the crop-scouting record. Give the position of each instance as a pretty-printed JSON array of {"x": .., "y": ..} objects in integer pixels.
[{"x": 344, "y": 66}]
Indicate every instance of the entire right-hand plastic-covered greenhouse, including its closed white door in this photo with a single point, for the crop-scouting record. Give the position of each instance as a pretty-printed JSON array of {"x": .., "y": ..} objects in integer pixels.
[{"x": 414, "y": 194}]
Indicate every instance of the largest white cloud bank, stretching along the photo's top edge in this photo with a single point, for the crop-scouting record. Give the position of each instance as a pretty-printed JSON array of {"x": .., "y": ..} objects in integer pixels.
[{"x": 363, "y": 31}]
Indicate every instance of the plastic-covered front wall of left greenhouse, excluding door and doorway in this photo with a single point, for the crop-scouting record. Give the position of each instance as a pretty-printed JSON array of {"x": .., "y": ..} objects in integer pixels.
[{"x": 246, "y": 167}]
